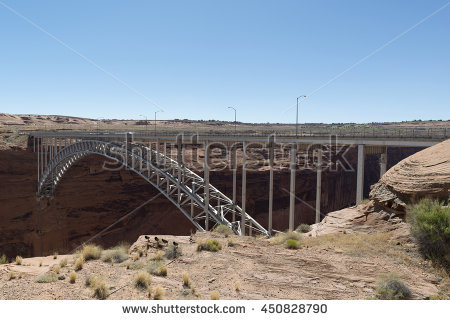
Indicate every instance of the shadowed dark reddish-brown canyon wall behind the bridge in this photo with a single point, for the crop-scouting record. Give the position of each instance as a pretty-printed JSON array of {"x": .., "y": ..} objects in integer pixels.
[{"x": 90, "y": 199}]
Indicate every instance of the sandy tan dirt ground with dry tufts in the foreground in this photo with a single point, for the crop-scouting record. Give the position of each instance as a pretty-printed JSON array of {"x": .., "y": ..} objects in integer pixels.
[{"x": 333, "y": 266}]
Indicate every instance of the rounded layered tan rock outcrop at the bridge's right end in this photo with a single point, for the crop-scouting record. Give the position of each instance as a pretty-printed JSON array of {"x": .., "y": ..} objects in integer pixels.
[{"x": 424, "y": 174}]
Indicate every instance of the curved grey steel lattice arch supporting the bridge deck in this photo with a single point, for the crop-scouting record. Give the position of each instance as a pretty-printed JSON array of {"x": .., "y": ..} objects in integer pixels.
[{"x": 185, "y": 189}]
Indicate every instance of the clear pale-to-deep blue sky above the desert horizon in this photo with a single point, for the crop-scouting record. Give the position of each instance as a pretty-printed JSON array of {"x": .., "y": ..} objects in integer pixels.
[{"x": 196, "y": 58}]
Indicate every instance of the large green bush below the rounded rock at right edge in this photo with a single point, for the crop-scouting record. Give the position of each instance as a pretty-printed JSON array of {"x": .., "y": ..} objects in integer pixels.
[{"x": 430, "y": 226}]
